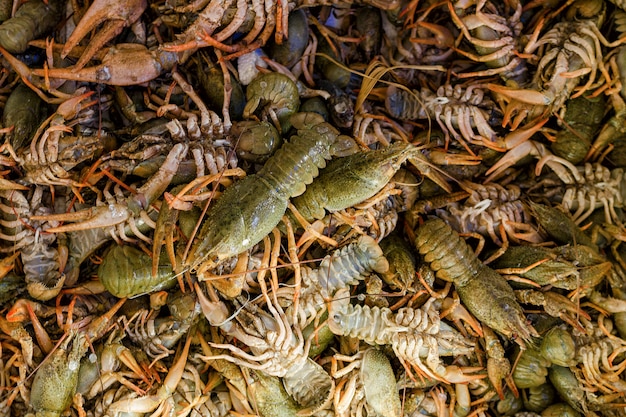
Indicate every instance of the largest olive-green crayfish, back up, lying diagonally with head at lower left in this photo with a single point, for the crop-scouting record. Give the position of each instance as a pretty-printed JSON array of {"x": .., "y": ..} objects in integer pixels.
[{"x": 249, "y": 209}]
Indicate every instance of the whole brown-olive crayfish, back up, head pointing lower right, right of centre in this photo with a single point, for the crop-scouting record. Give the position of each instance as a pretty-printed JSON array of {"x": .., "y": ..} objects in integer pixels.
[{"x": 484, "y": 292}]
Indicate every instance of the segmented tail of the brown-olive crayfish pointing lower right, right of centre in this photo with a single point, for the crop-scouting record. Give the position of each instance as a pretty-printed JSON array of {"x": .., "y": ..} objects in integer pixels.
[{"x": 447, "y": 253}]
